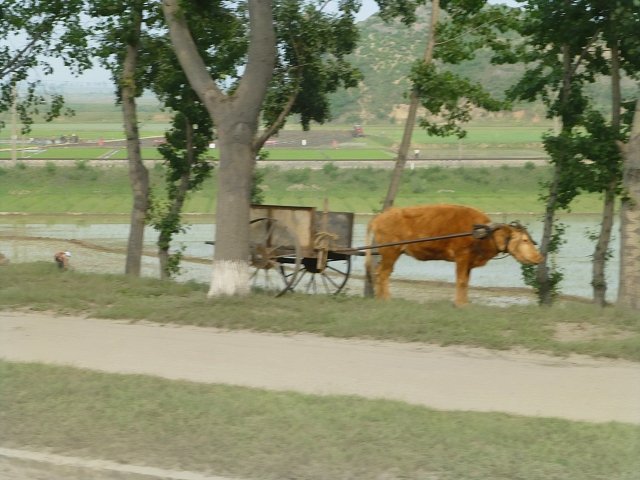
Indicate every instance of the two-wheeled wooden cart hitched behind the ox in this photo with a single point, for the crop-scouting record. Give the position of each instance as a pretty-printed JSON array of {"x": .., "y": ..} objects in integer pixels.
[{"x": 300, "y": 249}]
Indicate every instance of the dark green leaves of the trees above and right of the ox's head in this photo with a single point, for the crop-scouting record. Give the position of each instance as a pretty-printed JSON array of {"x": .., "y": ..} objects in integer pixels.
[{"x": 565, "y": 46}]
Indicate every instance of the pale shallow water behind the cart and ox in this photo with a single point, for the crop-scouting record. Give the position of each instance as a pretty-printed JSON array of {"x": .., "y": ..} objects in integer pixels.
[{"x": 98, "y": 244}]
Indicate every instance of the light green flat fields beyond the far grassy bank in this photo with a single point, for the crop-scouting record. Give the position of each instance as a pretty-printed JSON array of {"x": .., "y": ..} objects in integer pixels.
[{"x": 491, "y": 138}]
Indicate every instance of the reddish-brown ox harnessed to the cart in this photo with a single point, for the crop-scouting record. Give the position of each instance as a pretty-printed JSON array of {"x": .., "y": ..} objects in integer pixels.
[{"x": 423, "y": 221}]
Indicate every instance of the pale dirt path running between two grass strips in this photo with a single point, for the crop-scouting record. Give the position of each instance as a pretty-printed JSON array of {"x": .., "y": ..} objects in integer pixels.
[{"x": 452, "y": 378}]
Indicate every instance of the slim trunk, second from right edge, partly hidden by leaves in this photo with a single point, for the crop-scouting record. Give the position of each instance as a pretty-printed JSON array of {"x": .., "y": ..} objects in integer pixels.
[{"x": 600, "y": 255}]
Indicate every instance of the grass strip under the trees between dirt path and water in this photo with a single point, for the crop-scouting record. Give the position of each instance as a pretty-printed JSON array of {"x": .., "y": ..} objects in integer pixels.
[{"x": 40, "y": 286}]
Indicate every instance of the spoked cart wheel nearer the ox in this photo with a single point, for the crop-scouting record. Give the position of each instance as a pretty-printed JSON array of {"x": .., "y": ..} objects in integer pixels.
[{"x": 331, "y": 280}]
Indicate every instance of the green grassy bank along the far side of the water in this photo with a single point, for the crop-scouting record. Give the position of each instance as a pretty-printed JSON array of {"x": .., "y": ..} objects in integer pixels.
[{"x": 52, "y": 189}]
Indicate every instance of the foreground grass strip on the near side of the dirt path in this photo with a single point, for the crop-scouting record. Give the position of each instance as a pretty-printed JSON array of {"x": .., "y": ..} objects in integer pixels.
[{"x": 248, "y": 433}]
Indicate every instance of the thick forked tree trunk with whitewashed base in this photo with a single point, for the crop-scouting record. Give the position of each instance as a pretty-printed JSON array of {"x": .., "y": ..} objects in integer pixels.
[{"x": 236, "y": 116}]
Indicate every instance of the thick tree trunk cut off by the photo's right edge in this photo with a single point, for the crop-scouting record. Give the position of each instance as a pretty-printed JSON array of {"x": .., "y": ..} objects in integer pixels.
[{"x": 629, "y": 291}]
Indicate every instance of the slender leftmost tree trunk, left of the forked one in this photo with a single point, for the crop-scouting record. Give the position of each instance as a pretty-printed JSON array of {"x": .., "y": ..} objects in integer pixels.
[{"x": 138, "y": 174}]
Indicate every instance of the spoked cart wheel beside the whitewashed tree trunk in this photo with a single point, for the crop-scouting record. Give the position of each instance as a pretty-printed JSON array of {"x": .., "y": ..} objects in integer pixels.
[{"x": 275, "y": 256}]
